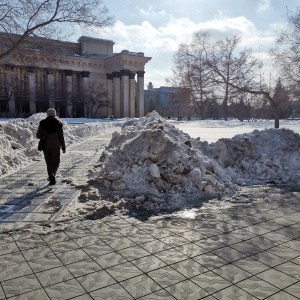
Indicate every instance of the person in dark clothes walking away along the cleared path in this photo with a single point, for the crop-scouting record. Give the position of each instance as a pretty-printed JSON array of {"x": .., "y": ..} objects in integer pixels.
[{"x": 51, "y": 130}]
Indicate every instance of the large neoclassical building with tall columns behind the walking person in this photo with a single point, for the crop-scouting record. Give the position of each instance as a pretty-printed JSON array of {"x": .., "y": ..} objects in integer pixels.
[{"x": 83, "y": 79}]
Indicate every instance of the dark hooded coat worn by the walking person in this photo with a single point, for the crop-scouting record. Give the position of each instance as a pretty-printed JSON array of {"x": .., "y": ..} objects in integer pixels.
[{"x": 51, "y": 129}]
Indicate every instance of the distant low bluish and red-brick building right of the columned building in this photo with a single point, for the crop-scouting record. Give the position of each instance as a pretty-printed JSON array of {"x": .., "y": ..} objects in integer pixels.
[{"x": 168, "y": 101}]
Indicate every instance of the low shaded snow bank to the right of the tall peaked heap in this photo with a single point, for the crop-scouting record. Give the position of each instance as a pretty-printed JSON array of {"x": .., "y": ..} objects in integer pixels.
[{"x": 259, "y": 156}]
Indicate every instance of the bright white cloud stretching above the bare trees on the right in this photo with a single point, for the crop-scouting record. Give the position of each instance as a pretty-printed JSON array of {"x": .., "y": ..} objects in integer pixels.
[{"x": 161, "y": 42}]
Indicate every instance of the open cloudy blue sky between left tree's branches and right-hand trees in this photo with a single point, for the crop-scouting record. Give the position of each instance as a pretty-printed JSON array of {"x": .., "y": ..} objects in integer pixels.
[{"x": 157, "y": 27}]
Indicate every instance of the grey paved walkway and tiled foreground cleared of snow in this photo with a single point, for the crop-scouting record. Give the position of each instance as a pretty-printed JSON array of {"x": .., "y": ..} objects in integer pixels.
[{"x": 240, "y": 253}]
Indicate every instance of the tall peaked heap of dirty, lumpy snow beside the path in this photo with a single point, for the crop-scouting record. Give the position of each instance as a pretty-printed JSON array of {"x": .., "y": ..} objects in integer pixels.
[{"x": 152, "y": 159}]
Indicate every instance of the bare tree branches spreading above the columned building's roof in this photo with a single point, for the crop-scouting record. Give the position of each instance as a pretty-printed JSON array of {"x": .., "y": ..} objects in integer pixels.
[{"x": 50, "y": 19}]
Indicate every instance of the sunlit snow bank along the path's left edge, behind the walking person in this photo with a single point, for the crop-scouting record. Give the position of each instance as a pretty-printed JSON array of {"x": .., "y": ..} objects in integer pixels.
[{"x": 18, "y": 142}]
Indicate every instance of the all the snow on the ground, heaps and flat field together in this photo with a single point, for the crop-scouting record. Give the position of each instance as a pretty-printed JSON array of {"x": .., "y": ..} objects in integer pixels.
[{"x": 159, "y": 164}]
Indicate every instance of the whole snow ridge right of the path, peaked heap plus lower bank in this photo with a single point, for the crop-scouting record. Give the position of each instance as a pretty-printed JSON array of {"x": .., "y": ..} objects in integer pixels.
[{"x": 154, "y": 165}]
